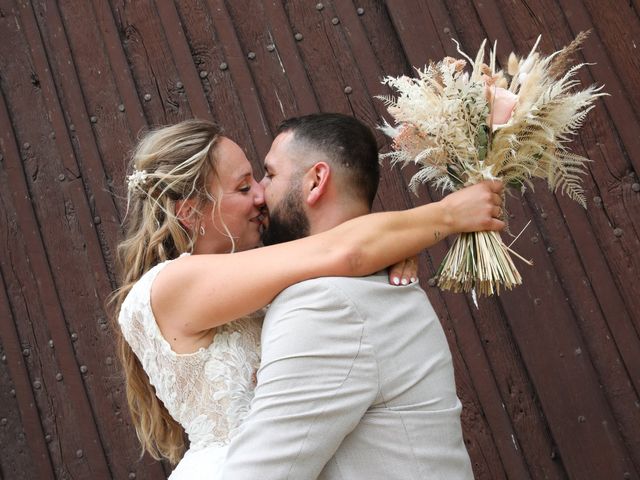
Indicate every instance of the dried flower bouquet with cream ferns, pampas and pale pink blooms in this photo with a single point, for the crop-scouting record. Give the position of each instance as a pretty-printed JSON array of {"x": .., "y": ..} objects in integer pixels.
[{"x": 463, "y": 127}]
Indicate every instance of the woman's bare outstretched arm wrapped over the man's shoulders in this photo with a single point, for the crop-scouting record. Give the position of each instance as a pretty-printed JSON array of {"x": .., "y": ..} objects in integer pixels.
[{"x": 194, "y": 294}]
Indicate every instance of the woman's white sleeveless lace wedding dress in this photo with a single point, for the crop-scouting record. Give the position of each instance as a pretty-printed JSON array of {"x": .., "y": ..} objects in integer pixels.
[{"x": 209, "y": 391}]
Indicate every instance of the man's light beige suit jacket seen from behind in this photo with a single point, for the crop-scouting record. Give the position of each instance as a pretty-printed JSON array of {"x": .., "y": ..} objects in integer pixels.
[{"x": 356, "y": 382}]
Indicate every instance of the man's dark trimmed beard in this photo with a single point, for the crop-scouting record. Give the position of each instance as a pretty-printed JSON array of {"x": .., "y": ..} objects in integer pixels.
[{"x": 288, "y": 220}]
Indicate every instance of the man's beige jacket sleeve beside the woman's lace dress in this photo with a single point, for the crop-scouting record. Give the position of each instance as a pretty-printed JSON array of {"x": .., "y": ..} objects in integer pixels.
[{"x": 317, "y": 379}]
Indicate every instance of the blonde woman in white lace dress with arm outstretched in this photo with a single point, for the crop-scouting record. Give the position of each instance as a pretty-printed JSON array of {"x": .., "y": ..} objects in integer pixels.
[{"x": 189, "y": 312}]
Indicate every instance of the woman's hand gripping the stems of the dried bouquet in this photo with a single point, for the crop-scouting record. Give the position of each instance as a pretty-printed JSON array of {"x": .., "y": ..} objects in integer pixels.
[{"x": 476, "y": 208}]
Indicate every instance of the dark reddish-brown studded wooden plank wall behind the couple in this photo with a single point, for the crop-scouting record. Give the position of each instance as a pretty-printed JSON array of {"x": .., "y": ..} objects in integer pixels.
[{"x": 549, "y": 374}]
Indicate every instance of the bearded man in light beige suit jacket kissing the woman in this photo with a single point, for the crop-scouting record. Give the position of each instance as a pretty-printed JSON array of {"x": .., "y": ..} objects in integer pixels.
[{"x": 356, "y": 380}]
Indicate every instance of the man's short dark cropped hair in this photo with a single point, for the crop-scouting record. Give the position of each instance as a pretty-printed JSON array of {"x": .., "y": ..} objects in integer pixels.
[{"x": 346, "y": 142}]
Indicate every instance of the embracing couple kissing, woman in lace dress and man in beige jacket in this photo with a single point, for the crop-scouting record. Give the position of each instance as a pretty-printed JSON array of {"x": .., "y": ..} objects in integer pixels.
[{"x": 354, "y": 374}]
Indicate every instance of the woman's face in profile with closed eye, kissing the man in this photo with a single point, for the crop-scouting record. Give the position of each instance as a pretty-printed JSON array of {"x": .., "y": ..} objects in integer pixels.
[{"x": 236, "y": 209}]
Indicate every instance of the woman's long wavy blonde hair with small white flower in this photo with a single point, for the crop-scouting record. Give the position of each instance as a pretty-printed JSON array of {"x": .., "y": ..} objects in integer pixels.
[{"x": 169, "y": 164}]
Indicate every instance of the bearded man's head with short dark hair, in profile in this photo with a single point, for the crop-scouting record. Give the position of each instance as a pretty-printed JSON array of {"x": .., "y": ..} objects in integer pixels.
[{"x": 322, "y": 169}]
